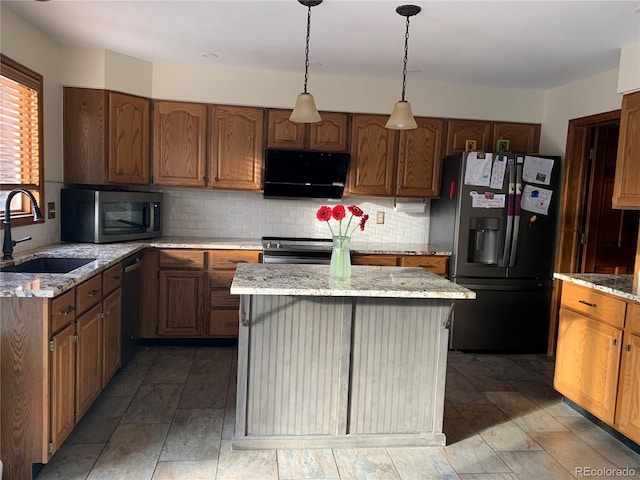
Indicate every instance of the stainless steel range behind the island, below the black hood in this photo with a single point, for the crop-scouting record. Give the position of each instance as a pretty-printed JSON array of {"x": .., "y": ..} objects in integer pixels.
[{"x": 296, "y": 250}]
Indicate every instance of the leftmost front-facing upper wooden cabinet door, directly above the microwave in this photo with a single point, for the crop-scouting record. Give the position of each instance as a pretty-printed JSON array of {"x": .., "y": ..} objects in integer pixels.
[{"x": 128, "y": 139}]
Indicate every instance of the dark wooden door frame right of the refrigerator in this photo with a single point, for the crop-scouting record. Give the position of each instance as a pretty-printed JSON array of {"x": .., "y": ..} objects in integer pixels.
[{"x": 572, "y": 204}]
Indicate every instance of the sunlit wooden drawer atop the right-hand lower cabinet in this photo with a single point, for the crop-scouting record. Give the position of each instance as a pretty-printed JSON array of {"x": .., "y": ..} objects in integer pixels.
[{"x": 595, "y": 305}]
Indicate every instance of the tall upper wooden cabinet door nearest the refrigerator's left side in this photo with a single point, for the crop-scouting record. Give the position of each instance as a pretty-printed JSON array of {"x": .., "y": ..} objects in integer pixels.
[{"x": 419, "y": 159}]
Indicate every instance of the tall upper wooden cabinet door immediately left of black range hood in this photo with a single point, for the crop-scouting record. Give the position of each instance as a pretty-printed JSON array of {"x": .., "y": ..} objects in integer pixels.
[{"x": 236, "y": 147}]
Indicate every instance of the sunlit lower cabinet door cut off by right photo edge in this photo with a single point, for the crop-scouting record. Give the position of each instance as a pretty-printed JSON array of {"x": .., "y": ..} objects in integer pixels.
[{"x": 628, "y": 414}]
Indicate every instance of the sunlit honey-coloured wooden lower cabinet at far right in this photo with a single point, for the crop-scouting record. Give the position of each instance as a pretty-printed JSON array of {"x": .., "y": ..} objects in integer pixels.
[{"x": 598, "y": 356}]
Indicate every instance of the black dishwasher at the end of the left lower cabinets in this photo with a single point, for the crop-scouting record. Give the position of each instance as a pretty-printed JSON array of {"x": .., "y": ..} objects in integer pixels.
[{"x": 130, "y": 306}]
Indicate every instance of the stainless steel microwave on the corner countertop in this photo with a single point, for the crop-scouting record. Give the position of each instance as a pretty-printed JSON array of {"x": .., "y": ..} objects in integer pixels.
[{"x": 104, "y": 216}]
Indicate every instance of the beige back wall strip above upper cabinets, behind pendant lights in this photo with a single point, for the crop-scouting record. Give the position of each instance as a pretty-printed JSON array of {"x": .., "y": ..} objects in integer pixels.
[{"x": 279, "y": 89}]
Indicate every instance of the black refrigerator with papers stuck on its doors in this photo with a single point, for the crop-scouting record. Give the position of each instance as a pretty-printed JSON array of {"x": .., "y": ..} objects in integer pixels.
[{"x": 497, "y": 214}]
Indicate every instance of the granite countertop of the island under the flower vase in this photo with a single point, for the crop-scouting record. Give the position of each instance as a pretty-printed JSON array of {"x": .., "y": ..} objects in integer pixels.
[{"x": 365, "y": 281}]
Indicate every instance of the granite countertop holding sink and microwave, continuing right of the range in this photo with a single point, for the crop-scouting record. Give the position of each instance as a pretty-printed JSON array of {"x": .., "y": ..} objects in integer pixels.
[{"x": 108, "y": 254}]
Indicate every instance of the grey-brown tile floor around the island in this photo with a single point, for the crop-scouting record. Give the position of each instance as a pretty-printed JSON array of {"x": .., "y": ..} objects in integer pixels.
[{"x": 169, "y": 414}]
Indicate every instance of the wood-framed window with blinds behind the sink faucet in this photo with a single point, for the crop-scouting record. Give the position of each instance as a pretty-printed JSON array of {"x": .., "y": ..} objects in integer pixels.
[{"x": 20, "y": 138}]
